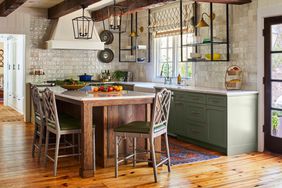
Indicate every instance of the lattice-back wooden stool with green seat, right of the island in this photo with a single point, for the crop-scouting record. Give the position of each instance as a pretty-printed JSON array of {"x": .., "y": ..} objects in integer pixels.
[{"x": 148, "y": 130}]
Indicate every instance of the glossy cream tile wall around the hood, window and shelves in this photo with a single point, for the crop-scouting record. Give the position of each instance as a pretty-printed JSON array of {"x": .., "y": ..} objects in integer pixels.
[{"x": 60, "y": 64}]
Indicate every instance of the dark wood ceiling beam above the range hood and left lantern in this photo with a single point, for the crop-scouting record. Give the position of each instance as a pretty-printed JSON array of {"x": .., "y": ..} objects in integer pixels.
[{"x": 68, "y": 6}]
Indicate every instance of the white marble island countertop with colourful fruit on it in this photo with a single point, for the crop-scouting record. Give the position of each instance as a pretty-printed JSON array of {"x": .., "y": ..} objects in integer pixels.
[{"x": 85, "y": 94}]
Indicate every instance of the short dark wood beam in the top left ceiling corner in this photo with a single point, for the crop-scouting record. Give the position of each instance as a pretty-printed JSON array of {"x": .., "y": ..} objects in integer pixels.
[{"x": 9, "y": 6}]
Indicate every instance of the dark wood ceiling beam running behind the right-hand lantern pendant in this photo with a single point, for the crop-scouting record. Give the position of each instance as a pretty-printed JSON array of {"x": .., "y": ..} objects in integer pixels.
[{"x": 132, "y": 6}]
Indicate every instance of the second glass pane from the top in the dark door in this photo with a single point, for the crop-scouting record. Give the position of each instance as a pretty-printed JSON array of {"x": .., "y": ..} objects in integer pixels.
[{"x": 276, "y": 66}]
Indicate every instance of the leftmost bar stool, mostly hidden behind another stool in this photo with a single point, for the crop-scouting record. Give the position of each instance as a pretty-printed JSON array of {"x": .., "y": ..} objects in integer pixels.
[{"x": 39, "y": 121}]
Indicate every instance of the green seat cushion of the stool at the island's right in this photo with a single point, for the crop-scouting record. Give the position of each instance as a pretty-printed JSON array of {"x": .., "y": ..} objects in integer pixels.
[{"x": 138, "y": 127}]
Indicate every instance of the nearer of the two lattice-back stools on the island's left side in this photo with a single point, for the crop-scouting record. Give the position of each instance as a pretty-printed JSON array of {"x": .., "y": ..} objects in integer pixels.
[{"x": 59, "y": 125}]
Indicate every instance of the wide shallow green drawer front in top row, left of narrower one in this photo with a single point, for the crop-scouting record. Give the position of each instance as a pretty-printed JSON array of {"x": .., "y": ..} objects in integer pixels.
[{"x": 190, "y": 97}]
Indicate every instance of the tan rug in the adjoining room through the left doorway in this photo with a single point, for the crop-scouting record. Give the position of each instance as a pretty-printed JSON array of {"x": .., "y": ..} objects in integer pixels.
[{"x": 7, "y": 114}]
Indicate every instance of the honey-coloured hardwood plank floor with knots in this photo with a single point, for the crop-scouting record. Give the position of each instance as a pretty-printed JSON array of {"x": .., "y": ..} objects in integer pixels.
[{"x": 19, "y": 169}]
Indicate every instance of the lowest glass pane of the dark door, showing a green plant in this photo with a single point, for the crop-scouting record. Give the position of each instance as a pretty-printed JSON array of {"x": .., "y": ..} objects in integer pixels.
[{"x": 276, "y": 123}]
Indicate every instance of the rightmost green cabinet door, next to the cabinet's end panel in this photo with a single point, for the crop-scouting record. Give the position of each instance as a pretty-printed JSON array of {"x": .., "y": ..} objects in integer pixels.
[{"x": 217, "y": 126}]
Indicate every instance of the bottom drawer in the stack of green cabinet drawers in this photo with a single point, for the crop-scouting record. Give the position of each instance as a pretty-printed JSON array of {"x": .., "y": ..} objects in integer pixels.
[{"x": 197, "y": 132}]
